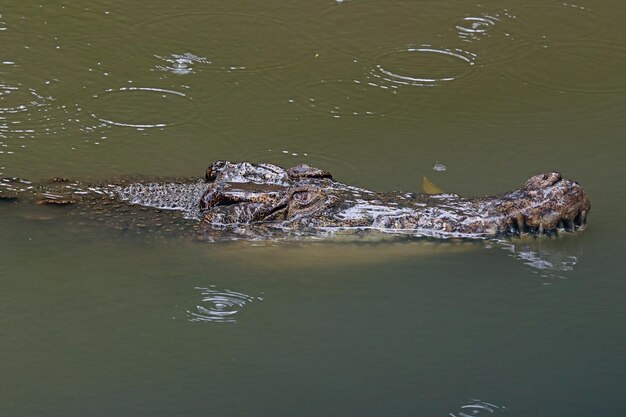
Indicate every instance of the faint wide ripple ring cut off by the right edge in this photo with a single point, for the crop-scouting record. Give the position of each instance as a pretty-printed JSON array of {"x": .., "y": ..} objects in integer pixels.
[{"x": 581, "y": 66}]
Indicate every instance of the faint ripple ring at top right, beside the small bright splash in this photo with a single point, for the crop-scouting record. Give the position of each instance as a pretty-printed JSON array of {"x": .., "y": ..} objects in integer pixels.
[{"x": 548, "y": 22}]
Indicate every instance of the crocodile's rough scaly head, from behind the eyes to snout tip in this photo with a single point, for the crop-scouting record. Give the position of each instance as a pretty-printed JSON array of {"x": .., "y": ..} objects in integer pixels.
[{"x": 306, "y": 198}]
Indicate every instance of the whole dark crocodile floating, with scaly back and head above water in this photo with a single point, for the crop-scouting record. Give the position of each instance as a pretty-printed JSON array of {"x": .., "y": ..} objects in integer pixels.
[{"x": 266, "y": 201}]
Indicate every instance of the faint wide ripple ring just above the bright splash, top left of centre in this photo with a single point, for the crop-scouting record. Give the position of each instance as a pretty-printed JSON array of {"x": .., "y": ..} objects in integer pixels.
[{"x": 259, "y": 42}]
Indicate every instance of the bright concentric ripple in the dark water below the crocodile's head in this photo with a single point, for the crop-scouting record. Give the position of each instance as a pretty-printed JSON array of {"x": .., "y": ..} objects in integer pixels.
[{"x": 220, "y": 306}]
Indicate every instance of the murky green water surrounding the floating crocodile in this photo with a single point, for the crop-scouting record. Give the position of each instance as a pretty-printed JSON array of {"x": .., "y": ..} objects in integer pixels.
[{"x": 96, "y": 321}]
